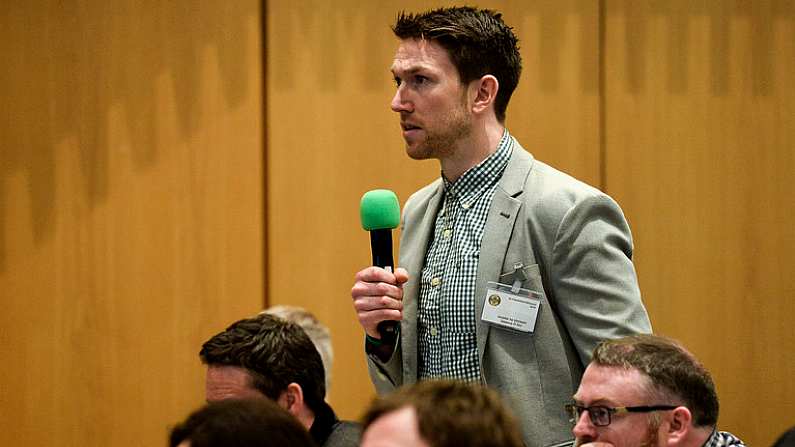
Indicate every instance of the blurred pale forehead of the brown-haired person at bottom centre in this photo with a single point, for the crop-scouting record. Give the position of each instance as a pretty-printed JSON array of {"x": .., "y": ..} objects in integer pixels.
[{"x": 396, "y": 429}]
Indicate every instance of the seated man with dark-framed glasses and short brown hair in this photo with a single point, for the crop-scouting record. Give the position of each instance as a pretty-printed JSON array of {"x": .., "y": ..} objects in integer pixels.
[{"x": 645, "y": 390}]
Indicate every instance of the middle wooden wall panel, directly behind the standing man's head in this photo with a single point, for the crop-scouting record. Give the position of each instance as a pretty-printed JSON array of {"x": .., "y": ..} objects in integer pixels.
[{"x": 331, "y": 136}]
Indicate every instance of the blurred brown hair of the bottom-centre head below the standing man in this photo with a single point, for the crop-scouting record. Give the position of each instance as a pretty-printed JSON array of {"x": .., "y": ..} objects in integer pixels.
[{"x": 452, "y": 414}]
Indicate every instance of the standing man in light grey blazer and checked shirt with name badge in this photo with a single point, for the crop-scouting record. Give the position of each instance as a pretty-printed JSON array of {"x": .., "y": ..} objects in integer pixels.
[{"x": 511, "y": 270}]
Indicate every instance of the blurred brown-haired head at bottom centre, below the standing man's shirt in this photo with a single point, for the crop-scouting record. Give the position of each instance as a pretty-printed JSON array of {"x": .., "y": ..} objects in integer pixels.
[{"x": 440, "y": 413}]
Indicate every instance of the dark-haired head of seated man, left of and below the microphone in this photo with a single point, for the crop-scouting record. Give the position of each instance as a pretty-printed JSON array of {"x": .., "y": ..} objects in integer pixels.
[{"x": 266, "y": 356}]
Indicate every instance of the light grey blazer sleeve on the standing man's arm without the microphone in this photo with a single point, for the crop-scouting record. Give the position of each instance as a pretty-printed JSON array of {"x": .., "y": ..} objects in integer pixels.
[{"x": 592, "y": 275}]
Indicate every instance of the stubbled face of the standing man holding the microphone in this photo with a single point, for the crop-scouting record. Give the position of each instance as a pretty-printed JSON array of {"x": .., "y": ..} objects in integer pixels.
[{"x": 431, "y": 101}]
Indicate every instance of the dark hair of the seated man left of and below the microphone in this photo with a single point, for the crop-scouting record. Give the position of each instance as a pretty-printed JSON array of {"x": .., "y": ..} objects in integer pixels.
[{"x": 275, "y": 352}]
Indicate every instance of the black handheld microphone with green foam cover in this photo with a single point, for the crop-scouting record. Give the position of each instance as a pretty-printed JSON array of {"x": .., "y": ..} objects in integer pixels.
[{"x": 380, "y": 213}]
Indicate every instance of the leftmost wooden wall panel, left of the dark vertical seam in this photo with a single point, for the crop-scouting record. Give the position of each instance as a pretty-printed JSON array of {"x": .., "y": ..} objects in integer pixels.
[{"x": 131, "y": 210}]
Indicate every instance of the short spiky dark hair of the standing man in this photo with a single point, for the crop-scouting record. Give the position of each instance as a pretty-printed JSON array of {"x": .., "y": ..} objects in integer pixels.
[{"x": 478, "y": 41}]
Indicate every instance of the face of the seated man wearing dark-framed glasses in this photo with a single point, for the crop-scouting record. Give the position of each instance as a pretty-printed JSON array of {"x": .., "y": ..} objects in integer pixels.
[{"x": 615, "y": 387}]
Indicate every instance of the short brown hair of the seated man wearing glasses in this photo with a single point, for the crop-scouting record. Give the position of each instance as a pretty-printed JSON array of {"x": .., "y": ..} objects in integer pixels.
[{"x": 674, "y": 372}]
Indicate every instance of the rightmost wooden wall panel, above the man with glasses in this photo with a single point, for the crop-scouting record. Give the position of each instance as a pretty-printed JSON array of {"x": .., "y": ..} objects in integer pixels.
[{"x": 699, "y": 151}]
